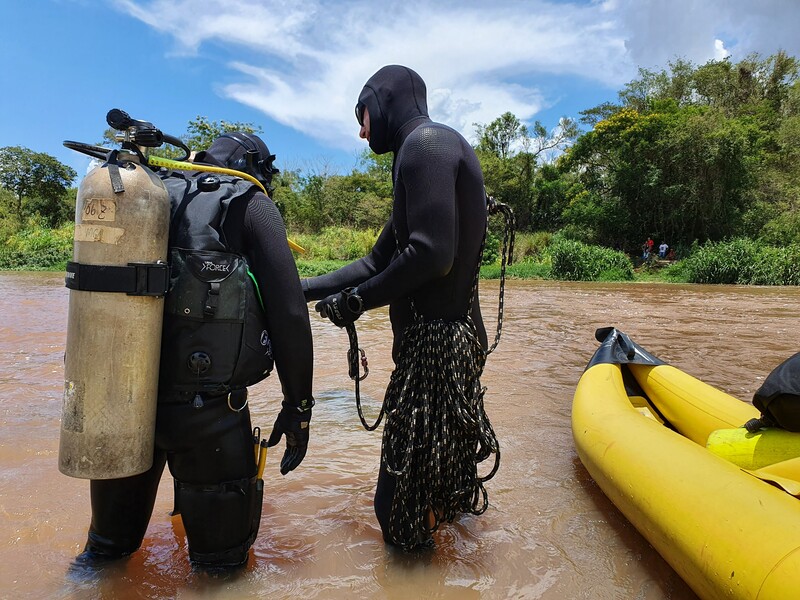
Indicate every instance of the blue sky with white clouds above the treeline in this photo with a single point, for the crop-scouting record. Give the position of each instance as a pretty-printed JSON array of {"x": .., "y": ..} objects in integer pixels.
[{"x": 295, "y": 68}]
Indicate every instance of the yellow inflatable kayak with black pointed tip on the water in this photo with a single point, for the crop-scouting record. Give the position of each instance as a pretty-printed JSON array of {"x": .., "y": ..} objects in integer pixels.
[{"x": 649, "y": 435}]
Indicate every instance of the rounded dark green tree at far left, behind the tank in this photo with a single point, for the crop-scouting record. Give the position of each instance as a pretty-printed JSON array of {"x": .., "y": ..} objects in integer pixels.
[{"x": 34, "y": 175}]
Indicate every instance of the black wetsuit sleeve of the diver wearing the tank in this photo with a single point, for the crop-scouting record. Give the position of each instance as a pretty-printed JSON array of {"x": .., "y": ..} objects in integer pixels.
[{"x": 273, "y": 265}]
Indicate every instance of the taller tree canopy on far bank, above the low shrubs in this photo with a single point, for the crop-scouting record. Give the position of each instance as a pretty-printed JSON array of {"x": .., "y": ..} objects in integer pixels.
[{"x": 688, "y": 153}]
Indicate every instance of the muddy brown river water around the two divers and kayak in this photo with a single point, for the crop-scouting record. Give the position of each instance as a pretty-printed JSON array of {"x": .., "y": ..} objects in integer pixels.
[{"x": 549, "y": 532}]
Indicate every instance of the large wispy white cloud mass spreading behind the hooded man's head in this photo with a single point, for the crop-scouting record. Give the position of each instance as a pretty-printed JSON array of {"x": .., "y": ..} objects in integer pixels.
[{"x": 304, "y": 63}]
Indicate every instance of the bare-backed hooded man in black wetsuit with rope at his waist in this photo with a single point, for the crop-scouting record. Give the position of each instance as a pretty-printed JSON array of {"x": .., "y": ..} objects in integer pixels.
[{"x": 424, "y": 263}]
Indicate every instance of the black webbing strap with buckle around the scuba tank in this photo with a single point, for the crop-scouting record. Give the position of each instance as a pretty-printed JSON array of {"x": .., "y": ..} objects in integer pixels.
[{"x": 135, "y": 279}]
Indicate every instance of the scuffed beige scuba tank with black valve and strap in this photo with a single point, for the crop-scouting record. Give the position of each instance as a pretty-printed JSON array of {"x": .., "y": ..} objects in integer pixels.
[{"x": 118, "y": 278}]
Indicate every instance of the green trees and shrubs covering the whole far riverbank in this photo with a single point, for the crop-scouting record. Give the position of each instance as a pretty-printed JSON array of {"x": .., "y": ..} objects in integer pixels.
[{"x": 704, "y": 157}]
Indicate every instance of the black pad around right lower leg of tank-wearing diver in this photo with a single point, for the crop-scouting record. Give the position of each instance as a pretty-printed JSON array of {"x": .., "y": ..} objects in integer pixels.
[{"x": 221, "y": 520}]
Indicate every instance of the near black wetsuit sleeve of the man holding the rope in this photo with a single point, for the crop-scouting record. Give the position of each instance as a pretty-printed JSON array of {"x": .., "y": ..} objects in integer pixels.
[{"x": 428, "y": 172}]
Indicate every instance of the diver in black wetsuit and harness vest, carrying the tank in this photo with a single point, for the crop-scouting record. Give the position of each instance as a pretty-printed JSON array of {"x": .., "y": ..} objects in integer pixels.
[{"x": 221, "y": 334}]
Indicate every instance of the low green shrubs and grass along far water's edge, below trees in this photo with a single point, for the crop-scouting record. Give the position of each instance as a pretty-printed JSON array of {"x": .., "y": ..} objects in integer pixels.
[{"x": 536, "y": 256}]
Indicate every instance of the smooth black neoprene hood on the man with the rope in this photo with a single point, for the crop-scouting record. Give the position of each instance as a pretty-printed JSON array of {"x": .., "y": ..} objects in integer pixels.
[{"x": 394, "y": 96}]
